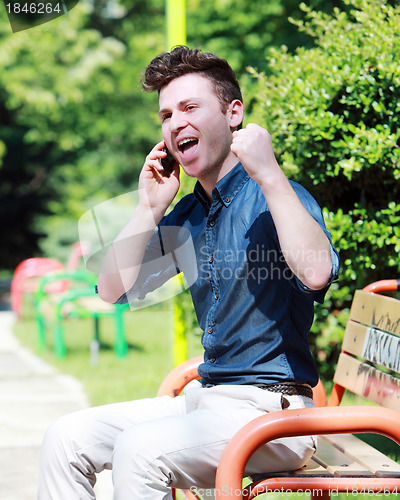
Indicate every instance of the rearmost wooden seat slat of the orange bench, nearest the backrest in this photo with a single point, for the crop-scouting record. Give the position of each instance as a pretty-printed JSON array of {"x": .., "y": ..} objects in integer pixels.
[{"x": 368, "y": 456}]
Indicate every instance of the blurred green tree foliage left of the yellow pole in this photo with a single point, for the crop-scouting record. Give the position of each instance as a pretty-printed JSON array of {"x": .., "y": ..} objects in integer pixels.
[{"x": 73, "y": 123}]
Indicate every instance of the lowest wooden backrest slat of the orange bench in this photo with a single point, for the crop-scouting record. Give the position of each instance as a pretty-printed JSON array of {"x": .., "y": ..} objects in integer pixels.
[{"x": 368, "y": 382}]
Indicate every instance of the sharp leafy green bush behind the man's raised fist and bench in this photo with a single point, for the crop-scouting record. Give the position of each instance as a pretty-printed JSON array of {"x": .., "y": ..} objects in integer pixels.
[{"x": 333, "y": 113}]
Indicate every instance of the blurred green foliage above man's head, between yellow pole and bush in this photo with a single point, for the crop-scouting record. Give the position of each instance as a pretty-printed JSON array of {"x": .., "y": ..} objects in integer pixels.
[{"x": 241, "y": 31}]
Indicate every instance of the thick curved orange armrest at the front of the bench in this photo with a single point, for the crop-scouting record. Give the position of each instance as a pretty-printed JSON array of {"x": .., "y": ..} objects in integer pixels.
[{"x": 307, "y": 421}]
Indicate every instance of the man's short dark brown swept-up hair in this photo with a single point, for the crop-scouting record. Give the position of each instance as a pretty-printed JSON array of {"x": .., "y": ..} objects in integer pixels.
[{"x": 182, "y": 61}]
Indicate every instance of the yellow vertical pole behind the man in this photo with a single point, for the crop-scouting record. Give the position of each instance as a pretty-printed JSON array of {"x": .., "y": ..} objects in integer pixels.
[{"x": 176, "y": 35}]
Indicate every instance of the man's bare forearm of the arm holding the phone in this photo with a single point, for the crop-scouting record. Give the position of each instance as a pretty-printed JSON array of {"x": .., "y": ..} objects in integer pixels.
[{"x": 123, "y": 260}]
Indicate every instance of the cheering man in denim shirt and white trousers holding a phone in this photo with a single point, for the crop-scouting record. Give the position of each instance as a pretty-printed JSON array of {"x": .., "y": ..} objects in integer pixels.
[{"x": 263, "y": 255}]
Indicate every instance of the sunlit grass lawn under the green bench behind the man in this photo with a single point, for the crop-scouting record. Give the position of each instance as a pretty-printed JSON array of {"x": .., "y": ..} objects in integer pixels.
[{"x": 149, "y": 333}]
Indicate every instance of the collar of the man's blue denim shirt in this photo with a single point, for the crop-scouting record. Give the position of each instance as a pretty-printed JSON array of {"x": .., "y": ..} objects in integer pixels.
[{"x": 227, "y": 188}]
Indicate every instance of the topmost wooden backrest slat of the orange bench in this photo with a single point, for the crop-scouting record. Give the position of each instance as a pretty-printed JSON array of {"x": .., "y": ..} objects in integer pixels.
[{"x": 378, "y": 311}]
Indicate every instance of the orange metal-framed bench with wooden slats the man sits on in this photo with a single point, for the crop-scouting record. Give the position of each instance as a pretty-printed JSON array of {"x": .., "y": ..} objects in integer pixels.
[{"x": 368, "y": 366}]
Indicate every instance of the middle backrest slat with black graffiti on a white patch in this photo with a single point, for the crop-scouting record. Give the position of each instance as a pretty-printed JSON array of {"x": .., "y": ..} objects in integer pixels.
[{"x": 373, "y": 345}]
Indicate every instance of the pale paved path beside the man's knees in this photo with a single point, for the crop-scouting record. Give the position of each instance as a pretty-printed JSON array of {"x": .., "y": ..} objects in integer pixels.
[{"x": 32, "y": 395}]
